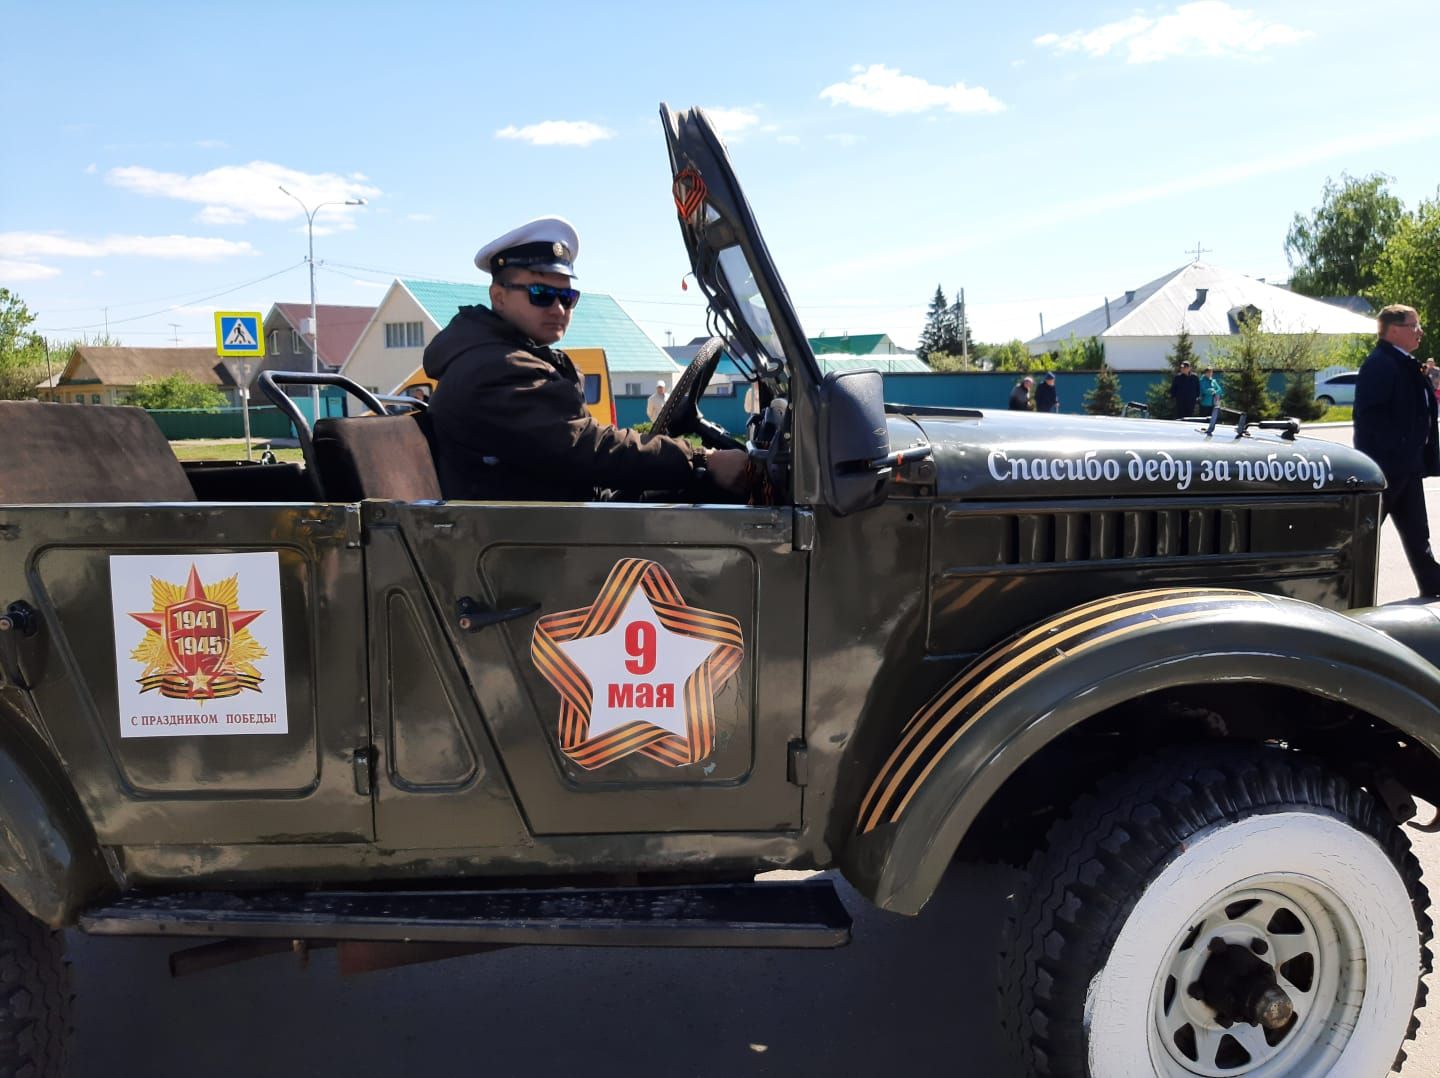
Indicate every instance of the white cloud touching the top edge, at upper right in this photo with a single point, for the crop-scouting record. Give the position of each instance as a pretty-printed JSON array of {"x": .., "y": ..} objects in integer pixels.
[{"x": 1207, "y": 28}]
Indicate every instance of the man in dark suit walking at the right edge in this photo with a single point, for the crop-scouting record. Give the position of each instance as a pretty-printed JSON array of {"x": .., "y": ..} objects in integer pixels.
[{"x": 1396, "y": 427}]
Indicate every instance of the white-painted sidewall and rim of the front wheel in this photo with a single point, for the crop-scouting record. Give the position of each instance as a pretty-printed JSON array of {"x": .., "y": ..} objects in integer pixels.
[{"x": 1354, "y": 918}]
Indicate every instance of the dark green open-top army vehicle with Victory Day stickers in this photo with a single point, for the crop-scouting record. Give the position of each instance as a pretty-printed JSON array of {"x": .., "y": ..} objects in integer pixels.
[{"x": 269, "y": 703}]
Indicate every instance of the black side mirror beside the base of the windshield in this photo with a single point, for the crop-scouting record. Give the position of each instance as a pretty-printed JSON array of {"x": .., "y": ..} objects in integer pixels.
[{"x": 855, "y": 440}]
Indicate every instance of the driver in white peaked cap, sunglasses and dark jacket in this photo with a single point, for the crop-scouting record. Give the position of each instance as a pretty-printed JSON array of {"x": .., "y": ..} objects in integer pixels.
[{"x": 509, "y": 418}]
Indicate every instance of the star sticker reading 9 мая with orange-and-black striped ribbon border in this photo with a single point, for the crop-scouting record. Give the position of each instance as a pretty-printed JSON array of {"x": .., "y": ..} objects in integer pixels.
[{"x": 637, "y": 671}]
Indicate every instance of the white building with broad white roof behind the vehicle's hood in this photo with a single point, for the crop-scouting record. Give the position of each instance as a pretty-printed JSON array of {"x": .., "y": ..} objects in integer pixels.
[{"x": 1140, "y": 327}]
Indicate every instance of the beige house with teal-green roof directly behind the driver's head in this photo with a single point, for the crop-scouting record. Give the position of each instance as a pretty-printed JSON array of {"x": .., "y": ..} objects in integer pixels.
[{"x": 414, "y": 312}]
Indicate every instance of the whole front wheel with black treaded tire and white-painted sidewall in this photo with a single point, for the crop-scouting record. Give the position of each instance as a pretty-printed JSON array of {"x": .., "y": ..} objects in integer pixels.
[{"x": 1141, "y": 857}]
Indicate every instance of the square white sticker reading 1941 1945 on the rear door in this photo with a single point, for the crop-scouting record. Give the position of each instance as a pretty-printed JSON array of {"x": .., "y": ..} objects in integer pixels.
[{"x": 199, "y": 646}]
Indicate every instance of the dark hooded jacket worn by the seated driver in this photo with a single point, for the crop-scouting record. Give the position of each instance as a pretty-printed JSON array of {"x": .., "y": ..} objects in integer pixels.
[{"x": 509, "y": 422}]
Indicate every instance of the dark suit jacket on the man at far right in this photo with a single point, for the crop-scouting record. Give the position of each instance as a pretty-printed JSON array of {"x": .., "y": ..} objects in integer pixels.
[{"x": 1396, "y": 417}]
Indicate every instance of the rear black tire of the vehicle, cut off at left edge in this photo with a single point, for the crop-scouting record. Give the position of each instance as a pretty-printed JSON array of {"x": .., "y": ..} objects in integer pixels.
[{"x": 35, "y": 997}]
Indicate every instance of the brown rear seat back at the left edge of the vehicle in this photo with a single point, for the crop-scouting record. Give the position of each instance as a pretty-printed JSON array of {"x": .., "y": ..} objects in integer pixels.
[{"x": 86, "y": 454}]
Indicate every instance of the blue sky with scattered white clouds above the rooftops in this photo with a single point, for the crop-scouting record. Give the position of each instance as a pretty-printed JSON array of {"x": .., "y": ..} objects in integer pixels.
[{"x": 1039, "y": 156}]
